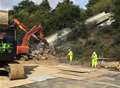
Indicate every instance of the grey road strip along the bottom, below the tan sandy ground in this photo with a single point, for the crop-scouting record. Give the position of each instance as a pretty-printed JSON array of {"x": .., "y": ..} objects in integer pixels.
[{"x": 107, "y": 79}]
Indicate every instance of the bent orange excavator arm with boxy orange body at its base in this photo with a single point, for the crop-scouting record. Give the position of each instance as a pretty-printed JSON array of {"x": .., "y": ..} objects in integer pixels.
[{"x": 24, "y": 48}]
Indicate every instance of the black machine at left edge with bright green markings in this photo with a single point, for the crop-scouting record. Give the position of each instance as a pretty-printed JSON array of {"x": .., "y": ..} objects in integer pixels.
[{"x": 7, "y": 44}]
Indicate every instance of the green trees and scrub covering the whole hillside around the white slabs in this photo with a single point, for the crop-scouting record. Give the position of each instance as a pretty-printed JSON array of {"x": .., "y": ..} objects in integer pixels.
[{"x": 106, "y": 40}]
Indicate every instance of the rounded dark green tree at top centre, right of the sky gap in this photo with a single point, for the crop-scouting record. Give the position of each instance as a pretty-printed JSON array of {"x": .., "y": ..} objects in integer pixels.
[{"x": 66, "y": 14}]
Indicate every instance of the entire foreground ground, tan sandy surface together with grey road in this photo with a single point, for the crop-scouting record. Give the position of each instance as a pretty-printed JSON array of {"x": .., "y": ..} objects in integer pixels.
[{"x": 56, "y": 76}]
